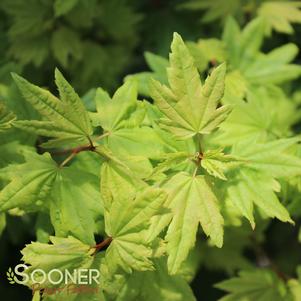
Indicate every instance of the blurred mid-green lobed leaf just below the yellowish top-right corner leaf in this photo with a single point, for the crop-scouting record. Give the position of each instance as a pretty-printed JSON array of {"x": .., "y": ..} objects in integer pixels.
[{"x": 243, "y": 51}]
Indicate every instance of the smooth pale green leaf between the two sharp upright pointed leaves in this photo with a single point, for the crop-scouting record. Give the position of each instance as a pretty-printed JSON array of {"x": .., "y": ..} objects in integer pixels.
[{"x": 121, "y": 118}]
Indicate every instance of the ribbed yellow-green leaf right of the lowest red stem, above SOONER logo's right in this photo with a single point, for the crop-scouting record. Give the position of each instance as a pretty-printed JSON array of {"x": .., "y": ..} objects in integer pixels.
[{"x": 127, "y": 221}]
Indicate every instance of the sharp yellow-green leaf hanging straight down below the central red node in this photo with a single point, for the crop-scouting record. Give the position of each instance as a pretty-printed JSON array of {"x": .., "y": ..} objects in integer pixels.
[{"x": 191, "y": 201}]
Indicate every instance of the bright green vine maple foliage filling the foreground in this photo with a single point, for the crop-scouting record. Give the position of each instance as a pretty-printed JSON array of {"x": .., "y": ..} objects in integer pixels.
[{"x": 140, "y": 189}]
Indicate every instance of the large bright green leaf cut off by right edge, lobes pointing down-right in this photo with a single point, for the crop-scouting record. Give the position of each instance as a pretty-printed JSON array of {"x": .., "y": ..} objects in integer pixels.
[{"x": 255, "y": 182}]
